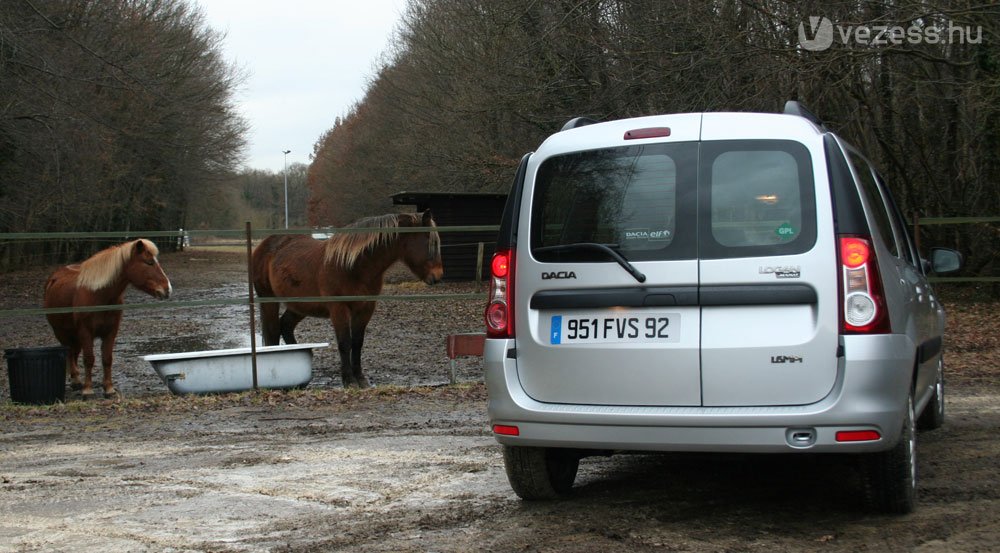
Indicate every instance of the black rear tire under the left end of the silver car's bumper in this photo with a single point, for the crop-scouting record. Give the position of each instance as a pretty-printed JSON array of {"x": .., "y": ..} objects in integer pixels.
[{"x": 540, "y": 473}]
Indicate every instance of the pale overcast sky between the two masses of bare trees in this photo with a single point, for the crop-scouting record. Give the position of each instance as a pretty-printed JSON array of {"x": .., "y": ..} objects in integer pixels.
[{"x": 308, "y": 62}]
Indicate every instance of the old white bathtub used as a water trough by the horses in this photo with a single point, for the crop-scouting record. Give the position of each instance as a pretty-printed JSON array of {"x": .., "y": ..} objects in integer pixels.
[{"x": 231, "y": 370}]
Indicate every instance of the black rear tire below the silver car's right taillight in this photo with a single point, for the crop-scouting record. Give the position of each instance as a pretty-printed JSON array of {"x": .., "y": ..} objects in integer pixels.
[{"x": 891, "y": 476}]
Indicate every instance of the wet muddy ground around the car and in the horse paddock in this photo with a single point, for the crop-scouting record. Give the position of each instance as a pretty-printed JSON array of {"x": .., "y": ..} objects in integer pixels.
[{"x": 410, "y": 465}]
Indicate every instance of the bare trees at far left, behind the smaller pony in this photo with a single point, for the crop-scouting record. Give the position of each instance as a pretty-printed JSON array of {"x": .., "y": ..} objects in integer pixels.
[{"x": 114, "y": 114}]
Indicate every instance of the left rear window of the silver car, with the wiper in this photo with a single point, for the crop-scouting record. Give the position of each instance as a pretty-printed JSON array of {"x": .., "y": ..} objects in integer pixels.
[{"x": 638, "y": 199}]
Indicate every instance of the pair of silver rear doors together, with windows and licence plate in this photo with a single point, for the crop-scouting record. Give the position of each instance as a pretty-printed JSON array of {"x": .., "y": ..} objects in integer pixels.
[{"x": 739, "y": 302}]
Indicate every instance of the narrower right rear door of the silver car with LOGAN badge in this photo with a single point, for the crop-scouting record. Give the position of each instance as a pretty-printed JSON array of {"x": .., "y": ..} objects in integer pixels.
[{"x": 768, "y": 273}]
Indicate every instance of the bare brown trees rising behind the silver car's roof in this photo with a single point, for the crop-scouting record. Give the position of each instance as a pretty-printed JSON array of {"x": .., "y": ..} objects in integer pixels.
[{"x": 473, "y": 84}]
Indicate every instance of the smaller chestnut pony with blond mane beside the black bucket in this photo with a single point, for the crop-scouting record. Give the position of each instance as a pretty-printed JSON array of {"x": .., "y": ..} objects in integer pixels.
[{"x": 100, "y": 280}]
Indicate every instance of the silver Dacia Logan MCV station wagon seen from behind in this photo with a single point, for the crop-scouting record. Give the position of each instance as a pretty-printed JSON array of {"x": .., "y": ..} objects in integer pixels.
[{"x": 712, "y": 282}]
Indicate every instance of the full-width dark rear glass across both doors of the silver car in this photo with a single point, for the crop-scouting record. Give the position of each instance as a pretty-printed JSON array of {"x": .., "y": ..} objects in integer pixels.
[{"x": 651, "y": 202}]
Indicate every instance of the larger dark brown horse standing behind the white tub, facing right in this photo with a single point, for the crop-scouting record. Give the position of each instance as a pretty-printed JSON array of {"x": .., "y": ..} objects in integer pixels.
[{"x": 346, "y": 264}]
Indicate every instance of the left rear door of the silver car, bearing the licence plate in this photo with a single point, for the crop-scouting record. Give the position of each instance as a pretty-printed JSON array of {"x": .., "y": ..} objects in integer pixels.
[{"x": 588, "y": 331}]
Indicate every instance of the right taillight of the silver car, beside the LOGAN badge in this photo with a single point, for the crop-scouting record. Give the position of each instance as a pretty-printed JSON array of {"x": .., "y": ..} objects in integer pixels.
[{"x": 862, "y": 302}]
